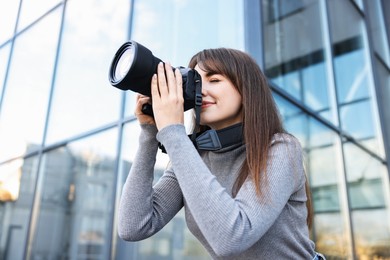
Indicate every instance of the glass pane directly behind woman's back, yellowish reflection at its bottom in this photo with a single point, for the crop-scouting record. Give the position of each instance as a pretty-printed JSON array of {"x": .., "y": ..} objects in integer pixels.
[{"x": 323, "y": 160}]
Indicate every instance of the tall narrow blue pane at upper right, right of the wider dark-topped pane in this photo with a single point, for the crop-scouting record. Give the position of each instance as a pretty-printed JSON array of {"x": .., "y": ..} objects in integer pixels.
[{"x": 353, "y": 78}]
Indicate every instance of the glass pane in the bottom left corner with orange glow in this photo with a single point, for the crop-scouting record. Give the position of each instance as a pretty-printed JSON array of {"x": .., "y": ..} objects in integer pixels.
[{"x": 15, "y": 215}]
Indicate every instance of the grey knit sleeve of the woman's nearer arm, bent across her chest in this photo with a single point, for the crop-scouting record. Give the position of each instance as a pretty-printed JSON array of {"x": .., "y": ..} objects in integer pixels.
[{"x": 230, "y": 225}]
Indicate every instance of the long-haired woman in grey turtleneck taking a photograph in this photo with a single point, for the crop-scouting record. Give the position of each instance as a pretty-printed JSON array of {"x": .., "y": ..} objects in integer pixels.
[{"x": 246, "y": 200}]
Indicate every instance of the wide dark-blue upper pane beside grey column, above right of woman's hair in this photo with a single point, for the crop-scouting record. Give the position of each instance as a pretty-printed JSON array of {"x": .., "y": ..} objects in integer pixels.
[{"x": 295, "y": 52}]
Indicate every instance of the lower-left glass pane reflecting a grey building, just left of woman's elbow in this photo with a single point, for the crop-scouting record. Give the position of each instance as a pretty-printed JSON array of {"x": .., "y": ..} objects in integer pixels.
[{"x": 76, "y": 201}]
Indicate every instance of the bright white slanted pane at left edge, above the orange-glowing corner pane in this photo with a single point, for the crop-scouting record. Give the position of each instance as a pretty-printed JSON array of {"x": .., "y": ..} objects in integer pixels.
[{"x": 28, "y": 87}]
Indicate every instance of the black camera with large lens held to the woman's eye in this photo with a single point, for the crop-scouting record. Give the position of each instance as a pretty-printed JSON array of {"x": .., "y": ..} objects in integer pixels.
[{"x": 133, "y": 66}]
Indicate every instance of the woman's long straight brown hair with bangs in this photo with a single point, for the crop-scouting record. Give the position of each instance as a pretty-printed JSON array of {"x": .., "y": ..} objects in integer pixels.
[{"x": 260, "y": 115}]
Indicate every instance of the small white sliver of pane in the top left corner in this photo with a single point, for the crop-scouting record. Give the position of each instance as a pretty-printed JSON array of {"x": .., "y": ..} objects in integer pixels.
[{"x": 8, "y": 16}]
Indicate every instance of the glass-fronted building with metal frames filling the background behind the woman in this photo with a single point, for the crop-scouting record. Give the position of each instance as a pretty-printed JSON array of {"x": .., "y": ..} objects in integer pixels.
[{"x": 68, "y": 138}]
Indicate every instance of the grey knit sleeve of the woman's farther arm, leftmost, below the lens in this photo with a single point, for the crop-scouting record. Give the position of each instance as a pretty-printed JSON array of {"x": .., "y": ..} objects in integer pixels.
[{"x": 144, "y": 209}]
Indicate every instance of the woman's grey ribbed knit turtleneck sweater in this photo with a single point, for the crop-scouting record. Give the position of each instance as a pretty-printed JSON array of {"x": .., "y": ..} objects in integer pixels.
[{"x": 272, "y": 226}]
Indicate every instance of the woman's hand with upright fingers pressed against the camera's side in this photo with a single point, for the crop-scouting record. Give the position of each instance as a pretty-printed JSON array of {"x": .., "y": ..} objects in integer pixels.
[{"x": 167, "y": 96}]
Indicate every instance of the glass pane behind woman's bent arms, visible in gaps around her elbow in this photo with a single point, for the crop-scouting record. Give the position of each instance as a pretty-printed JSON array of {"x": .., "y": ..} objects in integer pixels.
[{"x": 174, "y": 241}]
